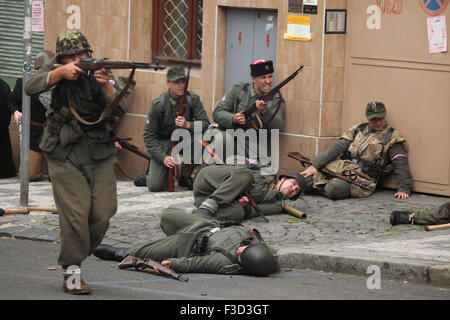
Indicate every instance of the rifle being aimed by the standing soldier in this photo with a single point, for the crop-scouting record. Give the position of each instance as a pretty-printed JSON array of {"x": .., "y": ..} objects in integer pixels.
[{"x": 96, "y": 64}]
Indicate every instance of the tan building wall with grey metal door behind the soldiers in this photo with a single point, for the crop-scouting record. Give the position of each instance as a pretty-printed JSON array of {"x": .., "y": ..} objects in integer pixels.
[{"x": 353, "y": 52}]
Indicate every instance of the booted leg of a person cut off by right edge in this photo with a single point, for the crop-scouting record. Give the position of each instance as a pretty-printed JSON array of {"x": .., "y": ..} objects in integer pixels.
[{"x": 432, "y": 216}]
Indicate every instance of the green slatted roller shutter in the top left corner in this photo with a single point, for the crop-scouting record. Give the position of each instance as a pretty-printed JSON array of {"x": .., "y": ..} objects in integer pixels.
[{"x": 11, "y": 40}]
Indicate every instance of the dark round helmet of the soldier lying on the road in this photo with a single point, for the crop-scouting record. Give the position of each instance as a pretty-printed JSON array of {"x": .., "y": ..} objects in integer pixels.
[{"x": 257, "y": 260}]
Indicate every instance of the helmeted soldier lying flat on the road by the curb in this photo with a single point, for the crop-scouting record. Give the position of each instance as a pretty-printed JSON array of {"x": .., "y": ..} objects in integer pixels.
[{"x": 197, "y": 245}]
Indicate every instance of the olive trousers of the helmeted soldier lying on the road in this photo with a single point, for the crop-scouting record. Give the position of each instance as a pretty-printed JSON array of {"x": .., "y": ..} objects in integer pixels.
[{"x": 173, "y": 221}]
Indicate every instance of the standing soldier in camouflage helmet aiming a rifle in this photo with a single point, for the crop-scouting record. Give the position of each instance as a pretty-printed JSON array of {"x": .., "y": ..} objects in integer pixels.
[{"x": 78, "y": 141}]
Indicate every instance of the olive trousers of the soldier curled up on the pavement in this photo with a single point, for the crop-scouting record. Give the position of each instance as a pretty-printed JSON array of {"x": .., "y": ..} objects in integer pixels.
[{"x": 225, "y": 184}]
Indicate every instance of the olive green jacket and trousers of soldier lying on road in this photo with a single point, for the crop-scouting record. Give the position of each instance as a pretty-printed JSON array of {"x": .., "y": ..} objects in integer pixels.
[{"x": 182, "y": 229}]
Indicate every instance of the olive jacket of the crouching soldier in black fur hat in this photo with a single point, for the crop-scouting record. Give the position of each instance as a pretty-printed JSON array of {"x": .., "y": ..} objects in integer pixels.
[{"x": 241, "y": 97}]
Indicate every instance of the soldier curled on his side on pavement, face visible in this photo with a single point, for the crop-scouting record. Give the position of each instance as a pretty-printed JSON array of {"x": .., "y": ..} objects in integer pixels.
[{"x": 219, "y": 192}]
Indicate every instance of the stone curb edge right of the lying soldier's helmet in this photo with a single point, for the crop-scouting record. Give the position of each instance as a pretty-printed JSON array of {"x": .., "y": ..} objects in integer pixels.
[{"x": 399, "y": 269}]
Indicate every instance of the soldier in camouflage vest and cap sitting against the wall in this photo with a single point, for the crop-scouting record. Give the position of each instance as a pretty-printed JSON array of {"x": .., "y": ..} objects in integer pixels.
[{"x": 364, "y": 153}]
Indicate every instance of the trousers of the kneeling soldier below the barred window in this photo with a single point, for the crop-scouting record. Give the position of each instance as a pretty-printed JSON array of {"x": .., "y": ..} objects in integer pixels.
[{"x": 158, "y": 173}]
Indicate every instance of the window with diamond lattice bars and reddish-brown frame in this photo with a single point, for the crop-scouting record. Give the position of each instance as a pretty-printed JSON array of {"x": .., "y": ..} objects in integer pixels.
[{"x": 177, "y": 30}]
